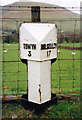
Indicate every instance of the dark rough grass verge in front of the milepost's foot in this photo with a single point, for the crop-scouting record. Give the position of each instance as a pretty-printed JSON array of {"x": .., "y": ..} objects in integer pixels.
[{"x": 61, "y": 110}]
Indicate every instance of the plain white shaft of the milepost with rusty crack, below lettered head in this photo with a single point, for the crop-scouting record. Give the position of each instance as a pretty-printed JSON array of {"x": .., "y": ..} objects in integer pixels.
[{"x": 39, "y": 81}]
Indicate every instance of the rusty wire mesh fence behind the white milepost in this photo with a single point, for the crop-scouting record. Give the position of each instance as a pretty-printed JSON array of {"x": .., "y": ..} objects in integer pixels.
[{"x": 65, "y": 72}]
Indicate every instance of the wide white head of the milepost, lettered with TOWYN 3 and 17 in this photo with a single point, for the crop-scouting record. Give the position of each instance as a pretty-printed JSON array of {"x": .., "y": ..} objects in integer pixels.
[{"x": 42, "y": 37}]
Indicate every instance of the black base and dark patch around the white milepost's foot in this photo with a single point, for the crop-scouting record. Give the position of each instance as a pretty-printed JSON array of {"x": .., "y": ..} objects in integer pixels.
[{"x": 38, "y": 109}]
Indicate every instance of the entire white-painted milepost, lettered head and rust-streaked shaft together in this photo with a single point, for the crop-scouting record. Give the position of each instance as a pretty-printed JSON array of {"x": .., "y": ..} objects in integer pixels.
[{"x": 38, "y": 44}]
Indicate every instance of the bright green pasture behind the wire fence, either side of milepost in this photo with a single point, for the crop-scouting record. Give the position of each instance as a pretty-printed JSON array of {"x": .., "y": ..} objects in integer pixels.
[{"x": 61, "y": 78}]
